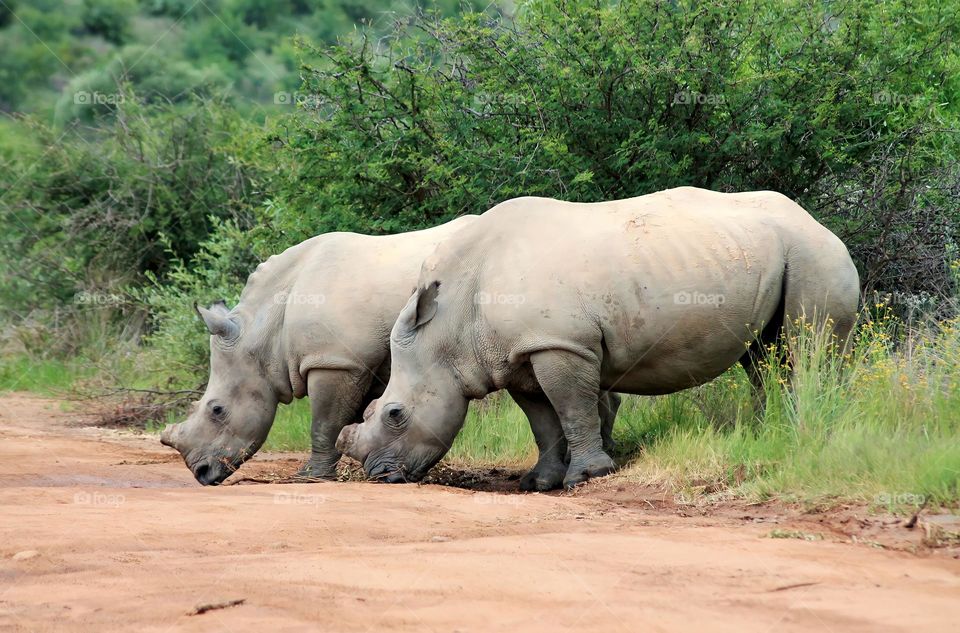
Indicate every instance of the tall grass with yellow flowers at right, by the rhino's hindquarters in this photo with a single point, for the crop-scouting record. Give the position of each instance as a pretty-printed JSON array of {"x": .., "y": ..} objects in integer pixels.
[{"x": 880, "y": 425}]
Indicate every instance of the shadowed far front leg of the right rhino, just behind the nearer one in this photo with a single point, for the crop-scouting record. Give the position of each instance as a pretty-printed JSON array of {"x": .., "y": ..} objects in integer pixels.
[{"x": 550, "y": 469}]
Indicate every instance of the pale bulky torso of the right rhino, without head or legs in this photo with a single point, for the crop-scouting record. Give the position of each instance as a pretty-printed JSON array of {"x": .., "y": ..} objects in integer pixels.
[{"x": 665, "y": 290}]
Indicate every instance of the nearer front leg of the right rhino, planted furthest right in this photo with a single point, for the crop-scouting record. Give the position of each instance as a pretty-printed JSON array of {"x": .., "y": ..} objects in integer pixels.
[{"x": 572, "y": 384}]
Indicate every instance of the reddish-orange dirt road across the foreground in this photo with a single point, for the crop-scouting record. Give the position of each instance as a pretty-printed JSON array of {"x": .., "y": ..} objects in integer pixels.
[{"x": 101, "y": 530}]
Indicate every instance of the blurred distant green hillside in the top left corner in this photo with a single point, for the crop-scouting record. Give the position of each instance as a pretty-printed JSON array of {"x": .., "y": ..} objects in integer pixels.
[{"x": 46, "y": 44}]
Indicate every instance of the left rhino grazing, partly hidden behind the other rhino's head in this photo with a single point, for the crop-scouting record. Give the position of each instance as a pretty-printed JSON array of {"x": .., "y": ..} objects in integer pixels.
[{"x": 314, "y": 320}]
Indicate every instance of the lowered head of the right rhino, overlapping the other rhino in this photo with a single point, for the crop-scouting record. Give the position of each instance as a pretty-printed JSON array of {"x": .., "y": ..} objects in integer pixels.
[{"x": 411, "y": 426}]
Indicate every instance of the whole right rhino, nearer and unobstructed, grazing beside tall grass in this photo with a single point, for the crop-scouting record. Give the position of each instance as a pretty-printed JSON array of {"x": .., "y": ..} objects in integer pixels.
[{"x": 559, "y": 302}]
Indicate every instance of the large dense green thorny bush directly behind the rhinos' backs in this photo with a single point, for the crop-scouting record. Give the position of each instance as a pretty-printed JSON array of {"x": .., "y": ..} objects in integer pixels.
[{"x": 841, "y": 108}]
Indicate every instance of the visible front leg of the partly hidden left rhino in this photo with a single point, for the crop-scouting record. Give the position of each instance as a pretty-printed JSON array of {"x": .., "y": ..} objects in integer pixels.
[{"x": 335, "y": 400}]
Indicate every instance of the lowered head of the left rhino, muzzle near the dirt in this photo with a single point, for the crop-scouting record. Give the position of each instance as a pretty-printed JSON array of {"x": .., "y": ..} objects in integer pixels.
[{"x": 231, "y": 421}]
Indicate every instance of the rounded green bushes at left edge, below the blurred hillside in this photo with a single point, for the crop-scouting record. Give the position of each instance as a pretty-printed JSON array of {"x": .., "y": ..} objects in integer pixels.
[{"x": 92, "y": 210}]
